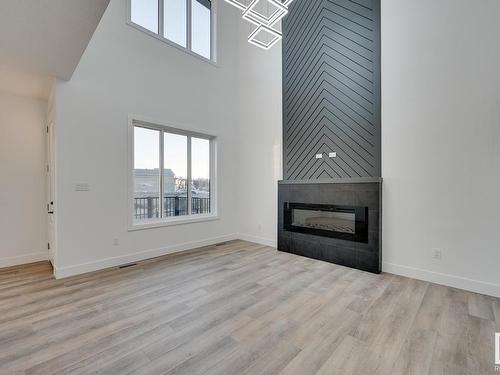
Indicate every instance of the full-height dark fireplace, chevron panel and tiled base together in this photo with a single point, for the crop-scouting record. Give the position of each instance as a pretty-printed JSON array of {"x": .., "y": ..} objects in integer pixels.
[{"x": 330, "y": 198}]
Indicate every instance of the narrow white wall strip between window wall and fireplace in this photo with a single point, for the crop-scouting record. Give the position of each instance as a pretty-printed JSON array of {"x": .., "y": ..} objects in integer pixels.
[{"x": 260, "y": 134}]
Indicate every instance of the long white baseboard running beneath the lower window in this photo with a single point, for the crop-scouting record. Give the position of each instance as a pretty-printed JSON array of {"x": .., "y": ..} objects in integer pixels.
[{"x": 78, "y": 269}]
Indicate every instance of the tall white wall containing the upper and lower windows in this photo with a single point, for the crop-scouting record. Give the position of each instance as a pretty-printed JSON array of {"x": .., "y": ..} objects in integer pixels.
[{"x": 124, "y": 71}]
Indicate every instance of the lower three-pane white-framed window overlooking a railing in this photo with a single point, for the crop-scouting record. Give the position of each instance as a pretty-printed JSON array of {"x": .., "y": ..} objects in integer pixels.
[{"x": 172, "y": 173}]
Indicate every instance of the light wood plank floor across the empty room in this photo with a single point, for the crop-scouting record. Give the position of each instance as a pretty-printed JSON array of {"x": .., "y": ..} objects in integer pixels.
[{"x": 241, "y": 309}]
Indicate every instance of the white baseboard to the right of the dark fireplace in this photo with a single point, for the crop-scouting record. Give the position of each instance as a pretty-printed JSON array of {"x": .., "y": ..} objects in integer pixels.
[{"x": 453, "y": 281}]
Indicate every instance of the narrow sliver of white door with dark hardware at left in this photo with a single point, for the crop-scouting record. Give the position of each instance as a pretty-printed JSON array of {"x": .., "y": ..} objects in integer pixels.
[{"x": 50, "y": 193}]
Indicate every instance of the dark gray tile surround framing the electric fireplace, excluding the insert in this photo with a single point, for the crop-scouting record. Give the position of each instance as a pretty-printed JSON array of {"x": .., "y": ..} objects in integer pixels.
[{"x": 359, "y": 192}]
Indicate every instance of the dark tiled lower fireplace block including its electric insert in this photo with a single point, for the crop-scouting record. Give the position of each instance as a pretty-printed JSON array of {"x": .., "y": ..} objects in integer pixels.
[{"x": 337, "y": 221}]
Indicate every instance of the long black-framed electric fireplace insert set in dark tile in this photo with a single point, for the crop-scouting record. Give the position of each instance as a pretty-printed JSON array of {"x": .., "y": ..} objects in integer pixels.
[{"x": 349, "y": 223}]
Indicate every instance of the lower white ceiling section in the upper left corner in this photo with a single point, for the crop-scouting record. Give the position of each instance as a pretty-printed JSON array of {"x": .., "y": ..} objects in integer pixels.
[{"x": 44, "y": 37}]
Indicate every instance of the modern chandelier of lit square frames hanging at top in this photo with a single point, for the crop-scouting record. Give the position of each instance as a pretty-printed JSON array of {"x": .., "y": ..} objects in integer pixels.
[{"x": 265, "y": 23}]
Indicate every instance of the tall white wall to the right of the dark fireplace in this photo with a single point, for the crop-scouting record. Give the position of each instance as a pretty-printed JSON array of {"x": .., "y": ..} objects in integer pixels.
[{"x": 441, "y": 140}]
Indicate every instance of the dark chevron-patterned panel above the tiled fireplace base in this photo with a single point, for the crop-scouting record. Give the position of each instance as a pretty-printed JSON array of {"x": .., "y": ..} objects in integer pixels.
[{"x": 331, "y": 89}]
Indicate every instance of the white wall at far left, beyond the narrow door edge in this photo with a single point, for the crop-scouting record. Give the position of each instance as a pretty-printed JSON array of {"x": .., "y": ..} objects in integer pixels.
[{"x": 23, "y": 228}]
